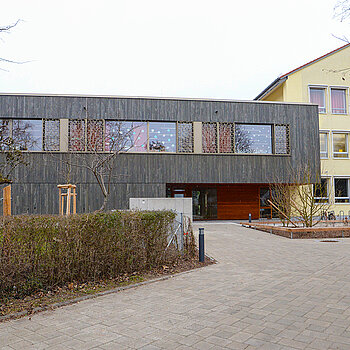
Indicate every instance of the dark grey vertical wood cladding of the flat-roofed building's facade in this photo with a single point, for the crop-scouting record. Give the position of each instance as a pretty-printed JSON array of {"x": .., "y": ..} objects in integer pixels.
[{"x": 146, "y": 174}]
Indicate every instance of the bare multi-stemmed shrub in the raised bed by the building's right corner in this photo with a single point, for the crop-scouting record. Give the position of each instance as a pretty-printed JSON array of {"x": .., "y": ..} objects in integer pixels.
[{"x": 302, "y": 199}]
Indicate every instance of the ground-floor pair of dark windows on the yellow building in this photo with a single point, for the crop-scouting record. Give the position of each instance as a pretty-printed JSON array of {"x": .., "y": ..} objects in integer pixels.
[{"x": 341, "y": 190}]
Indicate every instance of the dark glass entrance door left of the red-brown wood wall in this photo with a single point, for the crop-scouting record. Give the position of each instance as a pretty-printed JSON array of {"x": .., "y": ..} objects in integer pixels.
[{"x": 204, "y": 203}]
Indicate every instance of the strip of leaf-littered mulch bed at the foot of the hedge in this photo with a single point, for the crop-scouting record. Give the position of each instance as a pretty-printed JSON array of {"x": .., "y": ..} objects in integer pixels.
[{"x": 14, "y": 308}]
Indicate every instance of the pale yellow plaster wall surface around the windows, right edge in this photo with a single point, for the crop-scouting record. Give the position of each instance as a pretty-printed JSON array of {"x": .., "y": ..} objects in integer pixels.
[{"x": 325, "y": 73}]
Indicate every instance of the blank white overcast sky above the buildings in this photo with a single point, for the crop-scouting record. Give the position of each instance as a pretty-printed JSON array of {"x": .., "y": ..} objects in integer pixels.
[{"x": 192, "y": 48}]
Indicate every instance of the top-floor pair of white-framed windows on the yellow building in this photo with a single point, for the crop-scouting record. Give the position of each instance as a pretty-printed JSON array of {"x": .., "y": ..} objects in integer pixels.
[{"x": 334, "y": 97}]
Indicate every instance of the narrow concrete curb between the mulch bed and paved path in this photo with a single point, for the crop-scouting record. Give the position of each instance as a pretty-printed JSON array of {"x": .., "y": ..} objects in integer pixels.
[{"x": 98, "y": 294}]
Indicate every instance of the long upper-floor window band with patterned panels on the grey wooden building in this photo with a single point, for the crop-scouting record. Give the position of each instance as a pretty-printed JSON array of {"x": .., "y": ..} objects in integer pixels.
[{"x": 110, "y": 135}]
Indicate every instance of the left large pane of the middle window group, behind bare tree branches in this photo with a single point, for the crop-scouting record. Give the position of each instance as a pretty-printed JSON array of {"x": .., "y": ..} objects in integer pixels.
[{"x": 126, "y": 136}]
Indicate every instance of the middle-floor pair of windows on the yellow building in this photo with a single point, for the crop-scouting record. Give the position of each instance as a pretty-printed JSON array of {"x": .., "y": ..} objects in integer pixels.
[{"x": 340, "y": 144}]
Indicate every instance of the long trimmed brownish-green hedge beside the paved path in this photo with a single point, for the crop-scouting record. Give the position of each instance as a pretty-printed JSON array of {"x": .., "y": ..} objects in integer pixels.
[{"x": 41, "y": 252}]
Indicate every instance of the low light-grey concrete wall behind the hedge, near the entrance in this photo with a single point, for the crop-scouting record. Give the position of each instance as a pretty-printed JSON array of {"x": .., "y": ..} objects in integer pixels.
[{"x": 180, "y": 205}]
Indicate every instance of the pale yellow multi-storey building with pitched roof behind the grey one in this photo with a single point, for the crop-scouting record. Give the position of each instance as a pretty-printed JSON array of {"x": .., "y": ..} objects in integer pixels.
[{"x": 324, "y": 81}]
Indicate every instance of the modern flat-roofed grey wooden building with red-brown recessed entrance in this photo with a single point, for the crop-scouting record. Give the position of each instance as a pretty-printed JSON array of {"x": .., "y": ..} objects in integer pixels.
[{"x": 222, "y": 153}]
